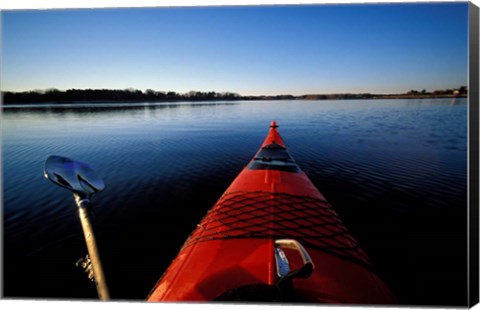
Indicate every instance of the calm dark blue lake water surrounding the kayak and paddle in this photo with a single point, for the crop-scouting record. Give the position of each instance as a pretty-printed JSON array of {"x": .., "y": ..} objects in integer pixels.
[{"x": 395, "y": 170}]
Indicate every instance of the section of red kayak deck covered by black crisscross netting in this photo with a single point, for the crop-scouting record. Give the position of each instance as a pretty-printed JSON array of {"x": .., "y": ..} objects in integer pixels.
[{"x": 309, "y": 220}]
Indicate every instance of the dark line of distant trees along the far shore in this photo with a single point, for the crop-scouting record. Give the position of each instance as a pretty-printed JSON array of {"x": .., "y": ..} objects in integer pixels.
[{"x": 149, "y": 95}]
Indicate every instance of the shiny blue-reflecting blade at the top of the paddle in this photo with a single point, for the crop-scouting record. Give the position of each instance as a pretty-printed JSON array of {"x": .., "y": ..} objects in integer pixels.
[{"x": 73, "y": 175}]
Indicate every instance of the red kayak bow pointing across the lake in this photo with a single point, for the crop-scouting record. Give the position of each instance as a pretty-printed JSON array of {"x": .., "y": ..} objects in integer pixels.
[{"x": 272, "y": 236}]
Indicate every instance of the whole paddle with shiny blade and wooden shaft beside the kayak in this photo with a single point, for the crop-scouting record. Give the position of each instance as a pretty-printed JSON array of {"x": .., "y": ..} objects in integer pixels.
[{"x": 82, "y": 180}]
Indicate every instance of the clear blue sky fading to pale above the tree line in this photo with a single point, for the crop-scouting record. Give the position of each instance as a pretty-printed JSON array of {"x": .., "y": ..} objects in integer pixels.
[{"x": 252, "y": 50}]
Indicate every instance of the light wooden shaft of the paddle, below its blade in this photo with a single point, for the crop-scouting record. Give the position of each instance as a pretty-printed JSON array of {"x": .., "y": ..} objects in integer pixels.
[{"x": 99, "y": 276}]
